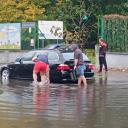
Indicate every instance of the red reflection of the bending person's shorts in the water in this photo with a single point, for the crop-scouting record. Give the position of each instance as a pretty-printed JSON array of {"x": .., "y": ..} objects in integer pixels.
[{"x": 40, "y": 98}]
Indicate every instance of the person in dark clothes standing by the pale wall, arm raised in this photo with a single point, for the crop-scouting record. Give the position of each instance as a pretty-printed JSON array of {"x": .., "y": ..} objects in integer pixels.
[{"x": 102, "y": 55}]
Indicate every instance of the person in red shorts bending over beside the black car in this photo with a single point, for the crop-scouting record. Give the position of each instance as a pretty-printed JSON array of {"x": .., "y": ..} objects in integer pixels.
[{"x": 41, "y": 66}]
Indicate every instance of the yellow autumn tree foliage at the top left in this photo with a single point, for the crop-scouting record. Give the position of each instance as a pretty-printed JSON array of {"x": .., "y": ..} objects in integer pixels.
[{"x": 19, "y": 10}]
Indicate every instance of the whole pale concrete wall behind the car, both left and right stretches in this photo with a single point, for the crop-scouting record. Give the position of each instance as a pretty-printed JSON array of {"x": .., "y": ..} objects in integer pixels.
[{"x": 114, "y": 60}]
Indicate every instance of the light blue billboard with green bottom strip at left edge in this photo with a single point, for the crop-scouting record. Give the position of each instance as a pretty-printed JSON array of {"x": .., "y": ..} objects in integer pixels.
[{"x": 10, "y": 36}]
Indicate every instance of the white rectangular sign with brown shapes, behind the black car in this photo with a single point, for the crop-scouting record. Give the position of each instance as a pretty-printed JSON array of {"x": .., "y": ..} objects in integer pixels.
[{"x": 50, "y": 29}]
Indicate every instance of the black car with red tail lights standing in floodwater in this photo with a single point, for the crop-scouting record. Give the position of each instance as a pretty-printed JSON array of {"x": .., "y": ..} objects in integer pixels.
[{"x": 60, "y": 61}]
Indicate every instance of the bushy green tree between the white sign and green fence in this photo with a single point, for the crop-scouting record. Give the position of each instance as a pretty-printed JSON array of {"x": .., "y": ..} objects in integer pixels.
[{"x": 73, "y": 14}]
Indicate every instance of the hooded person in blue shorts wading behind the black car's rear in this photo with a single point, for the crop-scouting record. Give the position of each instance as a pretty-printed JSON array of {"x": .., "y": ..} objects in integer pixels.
[{"x": 79, "y": 64}]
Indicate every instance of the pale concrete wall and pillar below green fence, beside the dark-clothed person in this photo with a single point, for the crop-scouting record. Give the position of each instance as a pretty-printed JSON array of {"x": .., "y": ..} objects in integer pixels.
[{"x": 114, "y": 60}]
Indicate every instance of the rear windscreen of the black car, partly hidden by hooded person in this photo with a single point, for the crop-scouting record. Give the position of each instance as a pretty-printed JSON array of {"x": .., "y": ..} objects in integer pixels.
[{"x": 70, "y": 56}]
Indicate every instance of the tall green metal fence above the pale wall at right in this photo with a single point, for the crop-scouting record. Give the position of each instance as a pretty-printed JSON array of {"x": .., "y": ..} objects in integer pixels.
[{"x": 115, "y": 31}]
